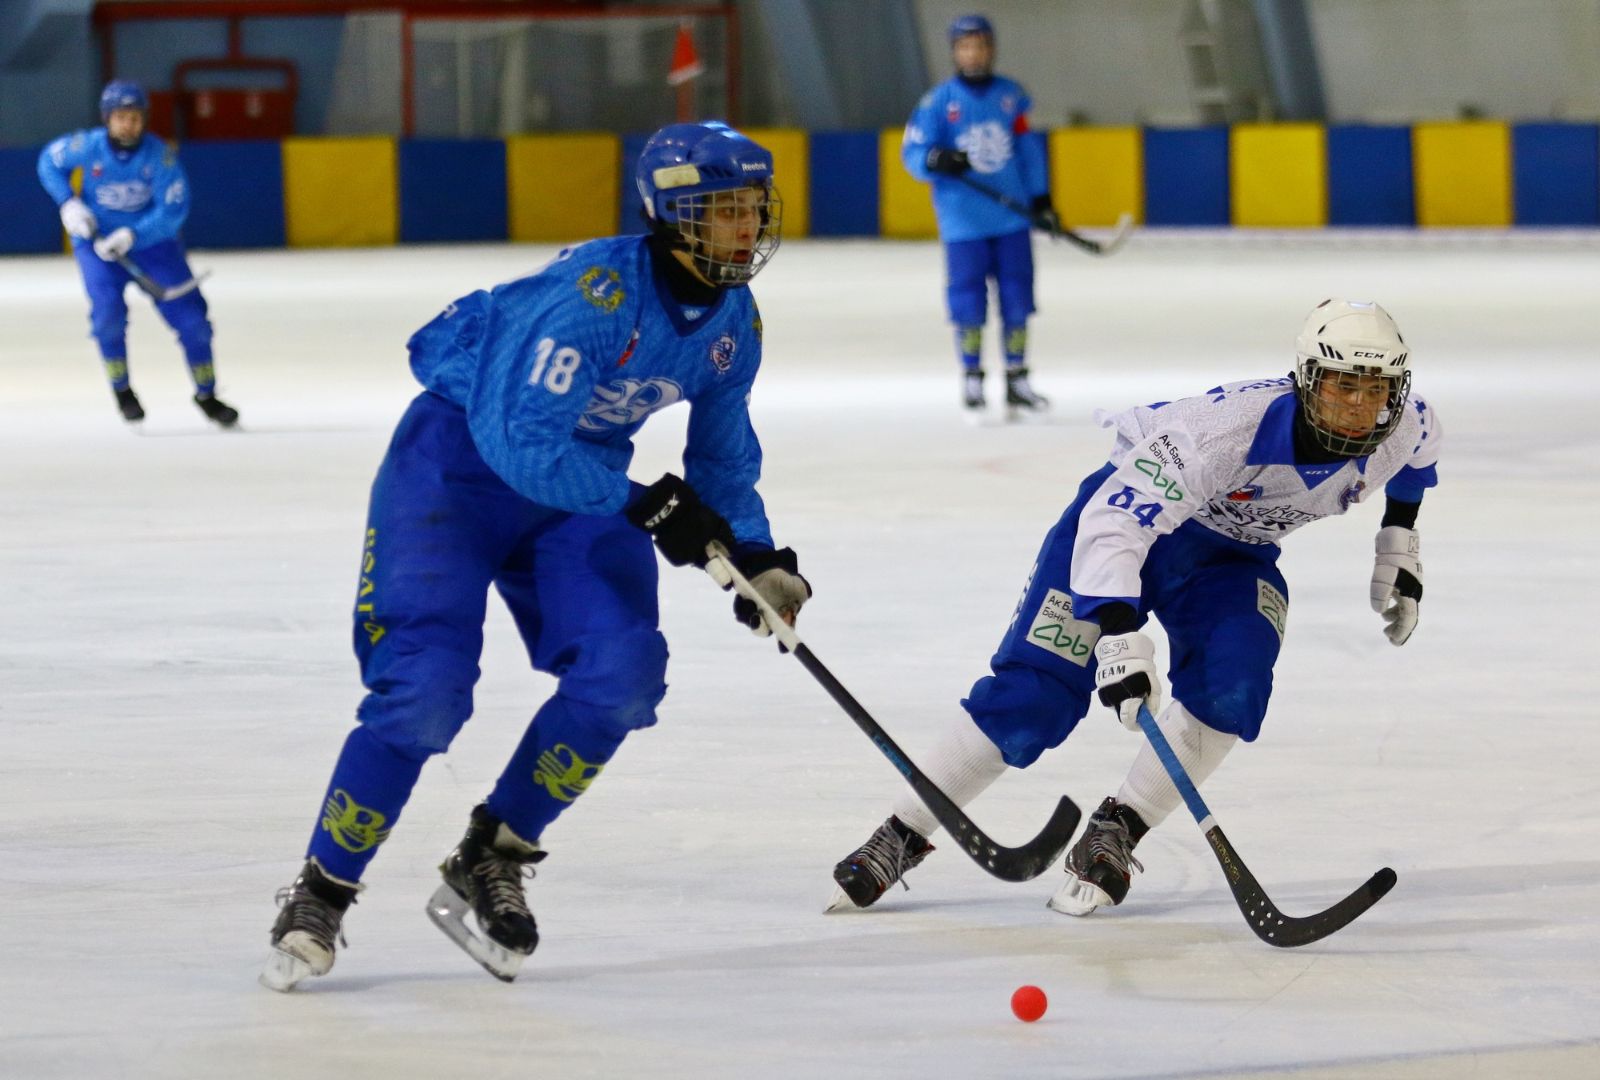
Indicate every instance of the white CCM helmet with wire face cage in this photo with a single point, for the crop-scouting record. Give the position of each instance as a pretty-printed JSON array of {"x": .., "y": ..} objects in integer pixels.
[{"x": 1351, "y": 338}]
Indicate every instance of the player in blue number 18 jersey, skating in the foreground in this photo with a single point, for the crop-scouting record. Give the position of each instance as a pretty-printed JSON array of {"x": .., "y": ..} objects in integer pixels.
[{"x": 511, "y": 471}]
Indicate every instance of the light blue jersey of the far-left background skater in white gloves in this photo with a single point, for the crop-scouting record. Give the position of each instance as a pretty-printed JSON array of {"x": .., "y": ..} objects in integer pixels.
[{"x": 143, "y": 190}]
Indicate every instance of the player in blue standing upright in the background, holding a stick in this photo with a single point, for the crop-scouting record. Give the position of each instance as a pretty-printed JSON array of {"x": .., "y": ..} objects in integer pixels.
[{"x": 972, "y": 129}]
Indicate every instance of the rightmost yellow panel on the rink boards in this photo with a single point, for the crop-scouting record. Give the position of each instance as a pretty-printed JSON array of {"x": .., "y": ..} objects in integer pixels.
[{"x": 1463, "y": 174}]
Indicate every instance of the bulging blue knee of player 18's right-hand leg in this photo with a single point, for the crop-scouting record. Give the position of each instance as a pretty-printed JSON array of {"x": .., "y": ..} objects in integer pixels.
[{"x": 618, "y": 679}]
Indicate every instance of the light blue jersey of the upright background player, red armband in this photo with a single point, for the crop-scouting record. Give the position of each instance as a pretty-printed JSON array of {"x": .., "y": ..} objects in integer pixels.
[{"x": 990, "y": 124}]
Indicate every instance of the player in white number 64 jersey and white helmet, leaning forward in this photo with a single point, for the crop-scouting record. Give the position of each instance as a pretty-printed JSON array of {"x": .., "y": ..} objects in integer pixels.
[{"x": 1185, "y": 524}]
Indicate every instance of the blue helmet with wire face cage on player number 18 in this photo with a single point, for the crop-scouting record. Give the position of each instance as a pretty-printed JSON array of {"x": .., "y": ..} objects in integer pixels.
[{"x": 711, "y": 191}]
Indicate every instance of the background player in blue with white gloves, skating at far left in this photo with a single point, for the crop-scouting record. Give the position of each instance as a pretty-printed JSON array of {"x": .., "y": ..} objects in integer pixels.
[{"x": 134, "y": 204}]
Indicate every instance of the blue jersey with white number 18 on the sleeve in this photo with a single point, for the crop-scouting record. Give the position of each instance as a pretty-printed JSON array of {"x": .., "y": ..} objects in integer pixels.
[{"x": 558, "y": 372}]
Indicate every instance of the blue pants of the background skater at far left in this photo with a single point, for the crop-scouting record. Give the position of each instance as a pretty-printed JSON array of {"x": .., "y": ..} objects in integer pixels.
[{"x": 108, "y": 282}]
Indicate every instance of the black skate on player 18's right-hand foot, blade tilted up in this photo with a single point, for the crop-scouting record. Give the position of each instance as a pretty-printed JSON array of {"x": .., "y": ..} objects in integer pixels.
[{"x": 484, "y": 878}]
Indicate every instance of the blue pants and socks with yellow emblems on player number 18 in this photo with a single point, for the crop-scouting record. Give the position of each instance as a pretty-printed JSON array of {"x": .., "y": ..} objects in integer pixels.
[{"x": 582, "y": 590}]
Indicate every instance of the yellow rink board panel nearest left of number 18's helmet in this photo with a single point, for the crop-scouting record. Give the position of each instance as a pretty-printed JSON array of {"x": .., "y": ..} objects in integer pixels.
[{"x": 562, "y": 188}]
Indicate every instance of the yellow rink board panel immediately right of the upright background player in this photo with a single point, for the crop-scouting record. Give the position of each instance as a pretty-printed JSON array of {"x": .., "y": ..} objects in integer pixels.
[{"x": 1097, "y": 175}]
